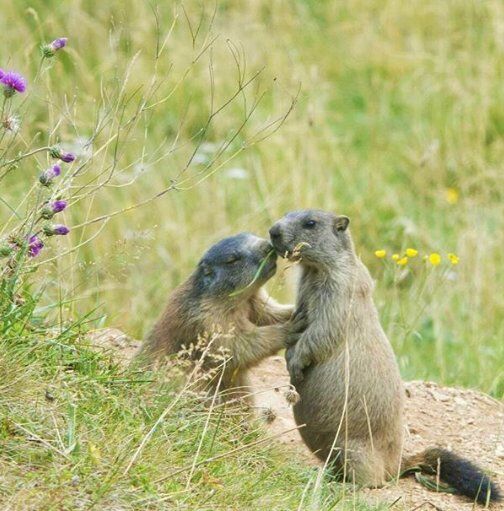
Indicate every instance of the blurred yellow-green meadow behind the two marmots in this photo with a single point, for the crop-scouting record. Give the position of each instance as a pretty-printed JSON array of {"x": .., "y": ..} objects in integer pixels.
[{"x": 398, "y": 123}]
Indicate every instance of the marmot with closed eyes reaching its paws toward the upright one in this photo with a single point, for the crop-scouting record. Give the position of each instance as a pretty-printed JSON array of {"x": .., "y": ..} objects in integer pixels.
[{"x": 223, "y": 301}]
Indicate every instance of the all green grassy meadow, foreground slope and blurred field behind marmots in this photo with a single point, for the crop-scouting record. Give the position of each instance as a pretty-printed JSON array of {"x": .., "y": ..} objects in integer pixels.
[{"x": 193, "y": 121}]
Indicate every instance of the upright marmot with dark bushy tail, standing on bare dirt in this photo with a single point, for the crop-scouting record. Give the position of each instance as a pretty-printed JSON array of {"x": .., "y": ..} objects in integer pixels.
[{"x": 344, "y": 368}]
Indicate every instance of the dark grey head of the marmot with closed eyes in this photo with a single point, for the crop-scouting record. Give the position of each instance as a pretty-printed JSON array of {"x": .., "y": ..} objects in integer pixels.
[{"x": 235, "y": 267}]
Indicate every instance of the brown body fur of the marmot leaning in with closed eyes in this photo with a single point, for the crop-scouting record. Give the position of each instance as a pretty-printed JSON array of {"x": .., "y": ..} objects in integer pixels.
[{"x": 248, "y": 326}]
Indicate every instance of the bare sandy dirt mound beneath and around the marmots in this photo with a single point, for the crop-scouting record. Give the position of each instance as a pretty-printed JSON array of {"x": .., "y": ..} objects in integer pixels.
[{"x": 466, "y": 421}]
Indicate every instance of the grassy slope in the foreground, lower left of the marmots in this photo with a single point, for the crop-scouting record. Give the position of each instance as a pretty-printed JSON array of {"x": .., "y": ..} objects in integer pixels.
[{"x": 75, "y": 435}]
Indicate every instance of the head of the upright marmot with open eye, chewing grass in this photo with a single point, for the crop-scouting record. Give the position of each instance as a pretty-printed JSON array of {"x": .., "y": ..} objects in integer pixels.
[{"x": 311, "y": 235}]
